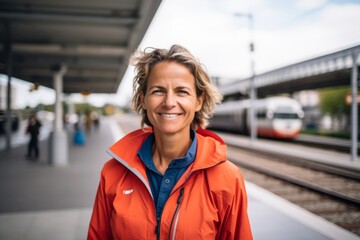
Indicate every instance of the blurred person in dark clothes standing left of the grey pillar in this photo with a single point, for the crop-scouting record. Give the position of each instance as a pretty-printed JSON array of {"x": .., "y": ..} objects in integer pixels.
[{"x": 33, "y": 129}]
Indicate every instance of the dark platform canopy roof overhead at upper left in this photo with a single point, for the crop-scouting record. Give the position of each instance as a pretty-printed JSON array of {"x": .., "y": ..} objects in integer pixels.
[{"x": 92, "y": 38}]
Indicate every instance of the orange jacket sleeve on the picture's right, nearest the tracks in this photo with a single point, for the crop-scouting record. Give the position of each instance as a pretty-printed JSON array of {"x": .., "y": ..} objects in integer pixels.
[{"x": 236, "y": 224}]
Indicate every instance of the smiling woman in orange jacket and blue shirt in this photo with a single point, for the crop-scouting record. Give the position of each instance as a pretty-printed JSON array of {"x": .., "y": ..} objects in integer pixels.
[{"x": 172, "y": 180}]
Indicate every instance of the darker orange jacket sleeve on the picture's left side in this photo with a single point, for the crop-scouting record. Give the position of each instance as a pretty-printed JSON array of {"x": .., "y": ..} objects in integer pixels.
[{"x": 99, "y": 227}]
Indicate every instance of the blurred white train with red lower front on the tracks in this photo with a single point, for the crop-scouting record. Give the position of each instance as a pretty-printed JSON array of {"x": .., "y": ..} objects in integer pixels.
[{"x": 277, "y": 117}]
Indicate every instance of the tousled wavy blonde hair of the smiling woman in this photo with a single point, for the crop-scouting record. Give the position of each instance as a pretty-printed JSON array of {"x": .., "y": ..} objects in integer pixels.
[{"x": 144, "y": 61}]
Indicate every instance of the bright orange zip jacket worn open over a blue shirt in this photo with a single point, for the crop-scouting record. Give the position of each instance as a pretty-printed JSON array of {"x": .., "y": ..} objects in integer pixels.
[{"x": 208, "y": 202}]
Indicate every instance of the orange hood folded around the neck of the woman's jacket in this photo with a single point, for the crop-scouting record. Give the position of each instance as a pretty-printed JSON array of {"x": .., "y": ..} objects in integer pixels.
[{"x": 211, "y": 149}]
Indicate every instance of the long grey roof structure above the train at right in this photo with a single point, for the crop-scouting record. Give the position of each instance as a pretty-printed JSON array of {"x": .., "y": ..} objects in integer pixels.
[{"x": 334, "y": 69}]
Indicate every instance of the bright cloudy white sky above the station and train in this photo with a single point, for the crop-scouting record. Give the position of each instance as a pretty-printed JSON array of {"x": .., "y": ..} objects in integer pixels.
[{"x": 284, "y": 32}]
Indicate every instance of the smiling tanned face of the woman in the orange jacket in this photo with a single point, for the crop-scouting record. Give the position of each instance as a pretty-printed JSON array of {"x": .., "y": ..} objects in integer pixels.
[{"x": 170, "y": 99}]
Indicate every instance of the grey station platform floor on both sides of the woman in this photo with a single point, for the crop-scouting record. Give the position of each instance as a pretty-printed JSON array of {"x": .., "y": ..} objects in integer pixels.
[{"x": 40, "y": 201}]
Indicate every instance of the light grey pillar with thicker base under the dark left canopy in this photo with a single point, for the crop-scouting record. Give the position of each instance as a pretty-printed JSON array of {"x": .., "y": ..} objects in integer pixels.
[{"x": 58, "y": 144}]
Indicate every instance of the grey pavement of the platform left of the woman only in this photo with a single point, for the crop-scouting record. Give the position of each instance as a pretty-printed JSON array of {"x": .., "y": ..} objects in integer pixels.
[{"x": 40, "y": 201}]
